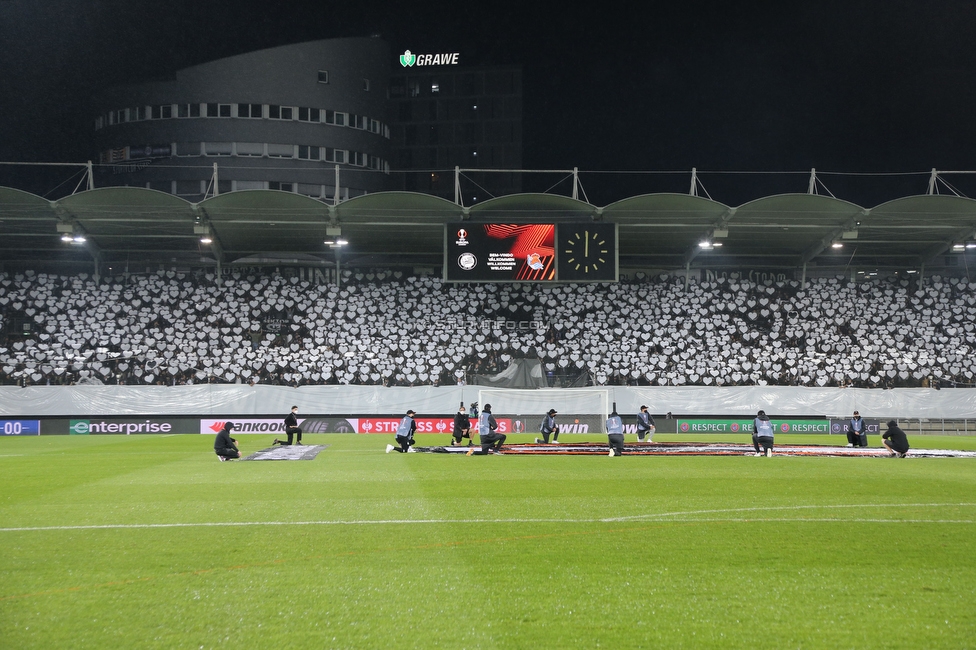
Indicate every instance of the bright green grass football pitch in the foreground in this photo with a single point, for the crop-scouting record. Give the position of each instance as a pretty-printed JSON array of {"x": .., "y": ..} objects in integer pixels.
[{"x": 150, "y": 542}]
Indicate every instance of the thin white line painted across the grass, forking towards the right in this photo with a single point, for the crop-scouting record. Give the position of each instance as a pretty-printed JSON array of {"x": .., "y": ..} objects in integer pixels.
[{"x": 664, "y": 515}]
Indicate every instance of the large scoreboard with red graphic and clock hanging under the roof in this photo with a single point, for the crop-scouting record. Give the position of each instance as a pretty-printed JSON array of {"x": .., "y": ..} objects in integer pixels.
[{"x": 535, "y": 252}]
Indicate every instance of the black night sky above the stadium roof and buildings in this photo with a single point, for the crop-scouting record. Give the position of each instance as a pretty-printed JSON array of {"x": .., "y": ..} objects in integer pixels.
[{"x": 866, "y": 87}]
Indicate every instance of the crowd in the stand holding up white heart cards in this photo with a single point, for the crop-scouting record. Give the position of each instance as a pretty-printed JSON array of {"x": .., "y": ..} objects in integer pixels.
[{"x": 383, "y": 327}]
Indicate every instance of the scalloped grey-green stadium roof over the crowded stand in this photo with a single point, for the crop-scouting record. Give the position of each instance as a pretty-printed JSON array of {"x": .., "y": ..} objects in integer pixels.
[{"x": 394, "y": 228}]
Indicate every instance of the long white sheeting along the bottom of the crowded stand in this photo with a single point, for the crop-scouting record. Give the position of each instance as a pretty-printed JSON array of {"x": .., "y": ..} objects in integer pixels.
[{"x": 682, "y": 401}]
